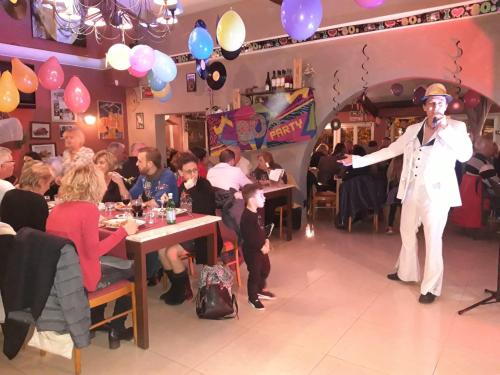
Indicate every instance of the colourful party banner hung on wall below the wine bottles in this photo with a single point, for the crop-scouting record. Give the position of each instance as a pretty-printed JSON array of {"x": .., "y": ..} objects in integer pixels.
[{"x": 282, "y": 118}]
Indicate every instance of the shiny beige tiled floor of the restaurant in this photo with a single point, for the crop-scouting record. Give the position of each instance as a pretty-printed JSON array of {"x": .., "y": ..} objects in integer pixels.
[{"x": 336, "y": 314}]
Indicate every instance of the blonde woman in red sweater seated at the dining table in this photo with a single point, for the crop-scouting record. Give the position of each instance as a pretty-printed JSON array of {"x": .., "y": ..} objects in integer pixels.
[{"x": 77, "y": 218}]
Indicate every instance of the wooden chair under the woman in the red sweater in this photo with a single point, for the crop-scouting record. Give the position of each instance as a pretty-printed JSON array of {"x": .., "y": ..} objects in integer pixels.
[{"x": 104, "y": 296}]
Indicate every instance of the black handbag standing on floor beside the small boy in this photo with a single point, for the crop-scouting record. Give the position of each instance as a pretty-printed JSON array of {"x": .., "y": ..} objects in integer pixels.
[{"x": 214, "y": 299}]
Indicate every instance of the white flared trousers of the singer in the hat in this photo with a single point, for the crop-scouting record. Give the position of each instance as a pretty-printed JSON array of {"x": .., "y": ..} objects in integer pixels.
[{"x": 417, "y": 208}]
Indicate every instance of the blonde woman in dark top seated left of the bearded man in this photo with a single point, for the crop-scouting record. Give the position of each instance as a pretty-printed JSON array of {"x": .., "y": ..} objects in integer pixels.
[{"x": 116, "y": 190}]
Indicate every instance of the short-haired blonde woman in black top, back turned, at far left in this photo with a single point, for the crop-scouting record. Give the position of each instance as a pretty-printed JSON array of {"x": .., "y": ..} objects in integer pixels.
[{"x": 26, "y": 206}]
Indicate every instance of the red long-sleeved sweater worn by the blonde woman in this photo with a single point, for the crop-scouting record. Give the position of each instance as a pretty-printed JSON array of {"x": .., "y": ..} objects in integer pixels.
[{"x": 79, "y": 221}]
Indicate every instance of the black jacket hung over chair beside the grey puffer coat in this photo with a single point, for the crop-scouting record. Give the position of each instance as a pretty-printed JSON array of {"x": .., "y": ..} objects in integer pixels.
[{"x": 31, "y": 267}]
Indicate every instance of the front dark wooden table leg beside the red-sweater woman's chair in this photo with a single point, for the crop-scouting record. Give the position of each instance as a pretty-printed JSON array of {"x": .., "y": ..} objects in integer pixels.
[{"x": 141, "y": 296}]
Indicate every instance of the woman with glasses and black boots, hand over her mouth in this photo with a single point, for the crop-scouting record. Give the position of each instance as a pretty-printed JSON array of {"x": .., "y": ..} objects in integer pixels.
[{"x": 203, "y": 199}]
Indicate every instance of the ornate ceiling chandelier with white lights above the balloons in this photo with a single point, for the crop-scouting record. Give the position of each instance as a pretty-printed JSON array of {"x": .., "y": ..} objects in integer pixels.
[{"x": 110, "y": 19}]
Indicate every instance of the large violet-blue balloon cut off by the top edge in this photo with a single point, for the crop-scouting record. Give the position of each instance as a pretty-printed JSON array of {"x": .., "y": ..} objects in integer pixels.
[{"x": 301, "y": 18}]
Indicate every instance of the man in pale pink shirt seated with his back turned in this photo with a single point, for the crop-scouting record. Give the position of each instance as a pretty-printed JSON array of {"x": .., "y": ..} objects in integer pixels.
[{"x": 228, "y": 181}]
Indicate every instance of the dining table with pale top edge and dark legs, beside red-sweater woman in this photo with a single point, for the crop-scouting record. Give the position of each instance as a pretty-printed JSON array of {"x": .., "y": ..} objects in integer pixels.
[{"x": 152, "y": 236}]
